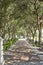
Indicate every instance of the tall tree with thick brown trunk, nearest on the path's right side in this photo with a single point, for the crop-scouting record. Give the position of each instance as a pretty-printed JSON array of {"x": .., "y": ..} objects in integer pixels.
[{"x": 39, "y": 13}]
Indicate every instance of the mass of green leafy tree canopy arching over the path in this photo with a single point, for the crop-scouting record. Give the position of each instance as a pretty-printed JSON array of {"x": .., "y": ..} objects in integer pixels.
[{"x": 25, "y": 14}]
